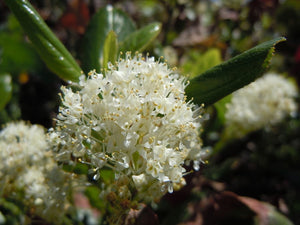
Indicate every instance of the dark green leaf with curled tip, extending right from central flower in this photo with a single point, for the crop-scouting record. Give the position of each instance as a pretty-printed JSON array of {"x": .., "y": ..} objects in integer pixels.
[{"x": 223, "y": 79}]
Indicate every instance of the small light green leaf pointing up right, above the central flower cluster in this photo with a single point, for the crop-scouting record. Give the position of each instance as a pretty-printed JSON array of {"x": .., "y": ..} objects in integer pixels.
[{"x": 140, "y": 39}]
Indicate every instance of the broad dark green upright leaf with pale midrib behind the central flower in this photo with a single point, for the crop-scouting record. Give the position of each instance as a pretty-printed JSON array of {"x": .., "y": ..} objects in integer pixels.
[{"x": 105, "y": 20}]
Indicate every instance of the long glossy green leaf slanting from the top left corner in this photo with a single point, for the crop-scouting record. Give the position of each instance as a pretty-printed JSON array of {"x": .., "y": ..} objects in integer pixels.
[{"x": 50, "y": 49}]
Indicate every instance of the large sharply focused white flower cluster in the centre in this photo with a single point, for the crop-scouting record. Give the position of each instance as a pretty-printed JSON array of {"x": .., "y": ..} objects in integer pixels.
[{"x": 135, "y": 120}]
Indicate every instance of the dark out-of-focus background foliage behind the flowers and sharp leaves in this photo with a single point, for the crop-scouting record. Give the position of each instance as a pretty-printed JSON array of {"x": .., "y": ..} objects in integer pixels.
[{"x": 195, "y": 36}]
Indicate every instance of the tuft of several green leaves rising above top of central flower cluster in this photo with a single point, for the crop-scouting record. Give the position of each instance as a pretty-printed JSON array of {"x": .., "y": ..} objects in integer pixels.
[{"x": 99, "y": 41}]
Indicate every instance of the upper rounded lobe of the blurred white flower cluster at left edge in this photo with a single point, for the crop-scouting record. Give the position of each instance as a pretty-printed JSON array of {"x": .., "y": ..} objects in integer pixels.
[{"x": 21, "y": 146}]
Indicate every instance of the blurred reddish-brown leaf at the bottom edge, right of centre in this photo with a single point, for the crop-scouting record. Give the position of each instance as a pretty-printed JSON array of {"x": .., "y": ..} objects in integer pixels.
[{"x": 230, "y": 208}]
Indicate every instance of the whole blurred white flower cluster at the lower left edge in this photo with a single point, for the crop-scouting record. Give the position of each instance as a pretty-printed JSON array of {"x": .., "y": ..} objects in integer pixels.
[{"x": 26, "y": 167}]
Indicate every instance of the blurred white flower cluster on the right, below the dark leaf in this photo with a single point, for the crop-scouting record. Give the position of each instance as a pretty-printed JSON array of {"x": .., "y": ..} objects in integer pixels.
[{"x": 262, "y": 103}]
